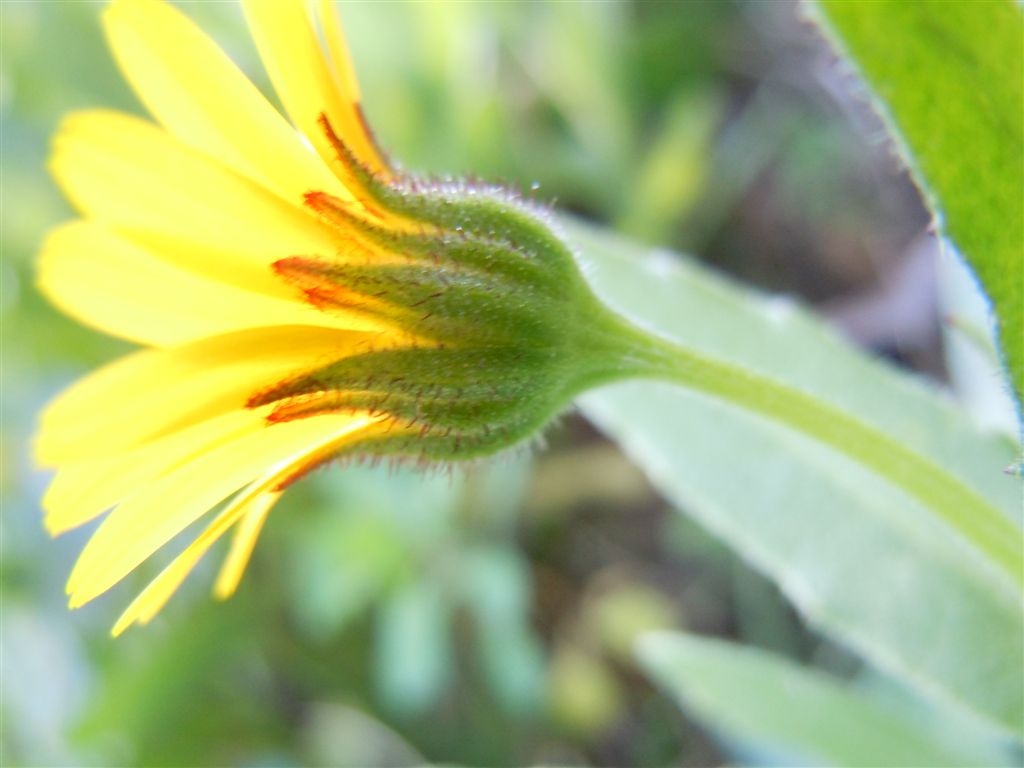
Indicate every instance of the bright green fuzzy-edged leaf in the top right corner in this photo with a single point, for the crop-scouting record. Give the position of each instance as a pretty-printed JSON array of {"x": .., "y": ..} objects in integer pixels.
[{"x": 947, "y": 77}]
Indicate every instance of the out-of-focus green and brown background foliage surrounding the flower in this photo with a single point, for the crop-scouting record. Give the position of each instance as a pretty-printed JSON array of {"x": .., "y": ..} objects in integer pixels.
[{"x": 487, "y": 617}]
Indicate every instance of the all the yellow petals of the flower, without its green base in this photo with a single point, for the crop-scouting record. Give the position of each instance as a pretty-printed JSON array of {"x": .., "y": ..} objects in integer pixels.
[{"x": 182, "y": 224}]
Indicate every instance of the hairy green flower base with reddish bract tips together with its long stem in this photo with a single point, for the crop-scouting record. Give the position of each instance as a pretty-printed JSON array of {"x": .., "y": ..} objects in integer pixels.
[{"x": 504, "y": 333}]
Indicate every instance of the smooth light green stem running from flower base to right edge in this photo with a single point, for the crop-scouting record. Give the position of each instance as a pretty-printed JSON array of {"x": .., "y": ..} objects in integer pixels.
[{"x": 987, "y": 528}]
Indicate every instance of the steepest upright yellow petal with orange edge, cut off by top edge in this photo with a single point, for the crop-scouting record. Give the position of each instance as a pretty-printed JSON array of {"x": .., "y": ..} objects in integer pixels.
[{"x": 305, "y": 78}]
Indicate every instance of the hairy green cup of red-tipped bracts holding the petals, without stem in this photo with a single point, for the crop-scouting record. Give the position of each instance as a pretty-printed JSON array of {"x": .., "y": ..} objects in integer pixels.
[{"x": 503, "y": 331}]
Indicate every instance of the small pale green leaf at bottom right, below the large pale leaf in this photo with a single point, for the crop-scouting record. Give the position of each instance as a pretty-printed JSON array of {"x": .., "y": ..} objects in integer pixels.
[{"x": 761, "y": 700}]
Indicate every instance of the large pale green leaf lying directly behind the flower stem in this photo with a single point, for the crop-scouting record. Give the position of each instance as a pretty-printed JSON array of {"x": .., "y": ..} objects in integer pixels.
[{"x": 863, "y": 560}]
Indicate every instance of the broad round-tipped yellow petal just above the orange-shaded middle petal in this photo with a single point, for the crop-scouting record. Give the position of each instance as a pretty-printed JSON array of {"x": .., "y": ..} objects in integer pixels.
[{"x": 107, "y": 282}]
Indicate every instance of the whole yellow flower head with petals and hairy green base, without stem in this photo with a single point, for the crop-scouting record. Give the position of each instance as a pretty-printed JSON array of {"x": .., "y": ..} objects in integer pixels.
[{"x": 301, "y": 301}]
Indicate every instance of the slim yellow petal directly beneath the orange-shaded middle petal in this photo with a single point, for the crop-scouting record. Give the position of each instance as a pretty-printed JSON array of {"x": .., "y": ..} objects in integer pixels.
[{"x": 84, "y": 490}]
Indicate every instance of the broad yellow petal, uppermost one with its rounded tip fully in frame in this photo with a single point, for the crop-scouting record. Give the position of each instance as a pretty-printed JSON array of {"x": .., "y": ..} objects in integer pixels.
[{"x": 137, "y": 178}]
